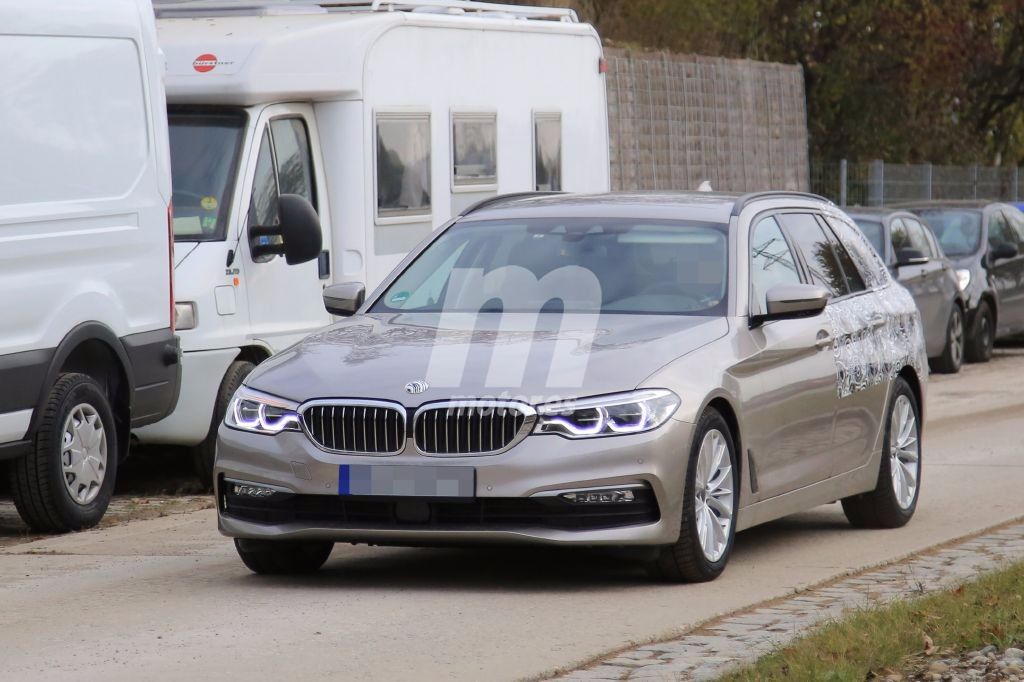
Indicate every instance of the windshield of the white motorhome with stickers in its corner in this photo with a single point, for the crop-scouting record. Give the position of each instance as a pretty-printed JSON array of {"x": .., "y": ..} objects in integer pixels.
[{"x": 205, "y": 148}]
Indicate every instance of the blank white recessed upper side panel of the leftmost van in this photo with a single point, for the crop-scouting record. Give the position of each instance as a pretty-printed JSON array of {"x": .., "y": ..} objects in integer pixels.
[{"x": 73, "y": 123}]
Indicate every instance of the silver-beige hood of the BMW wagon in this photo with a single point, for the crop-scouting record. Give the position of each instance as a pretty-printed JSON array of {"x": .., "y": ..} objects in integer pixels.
[{"x": 535, "y": 359}]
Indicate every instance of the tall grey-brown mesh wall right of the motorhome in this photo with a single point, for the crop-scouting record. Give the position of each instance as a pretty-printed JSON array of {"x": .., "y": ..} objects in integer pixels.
[{"x": 675, "y": 121}]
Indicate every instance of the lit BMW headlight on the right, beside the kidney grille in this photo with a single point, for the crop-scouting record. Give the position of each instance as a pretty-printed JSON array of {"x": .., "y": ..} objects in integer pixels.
[{"x": 608, "y": 415}]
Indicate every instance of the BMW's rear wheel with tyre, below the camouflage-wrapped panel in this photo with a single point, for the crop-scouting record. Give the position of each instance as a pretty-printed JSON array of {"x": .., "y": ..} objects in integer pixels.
[{"x": 894, "y": 499}]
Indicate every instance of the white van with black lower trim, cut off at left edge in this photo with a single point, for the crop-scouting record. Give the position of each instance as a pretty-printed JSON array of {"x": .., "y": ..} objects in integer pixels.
[{"x": 88, "y": 346}]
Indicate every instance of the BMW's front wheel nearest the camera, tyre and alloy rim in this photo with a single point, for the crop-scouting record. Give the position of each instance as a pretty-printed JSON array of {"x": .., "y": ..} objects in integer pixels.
[{"x": 710, "y": 497}]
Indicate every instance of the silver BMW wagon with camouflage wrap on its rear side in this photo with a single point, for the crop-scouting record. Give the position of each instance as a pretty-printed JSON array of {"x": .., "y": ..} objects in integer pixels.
[{"x": 648, "y": 371}]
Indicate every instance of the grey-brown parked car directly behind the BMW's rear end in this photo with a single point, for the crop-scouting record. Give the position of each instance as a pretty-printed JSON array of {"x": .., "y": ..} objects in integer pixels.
[{"x": 916, "y": 261}]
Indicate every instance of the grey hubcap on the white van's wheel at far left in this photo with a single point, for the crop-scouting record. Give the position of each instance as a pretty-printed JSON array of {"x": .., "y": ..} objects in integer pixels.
[{"x": 83, "y": 454}]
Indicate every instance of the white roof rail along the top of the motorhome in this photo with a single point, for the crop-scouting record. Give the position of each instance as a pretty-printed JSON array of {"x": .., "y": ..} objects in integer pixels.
[{"x": 172, "y": 9}]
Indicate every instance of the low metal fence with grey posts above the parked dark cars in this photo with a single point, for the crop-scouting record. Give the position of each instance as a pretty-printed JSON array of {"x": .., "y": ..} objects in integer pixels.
[{"x": 876, "y": 184}]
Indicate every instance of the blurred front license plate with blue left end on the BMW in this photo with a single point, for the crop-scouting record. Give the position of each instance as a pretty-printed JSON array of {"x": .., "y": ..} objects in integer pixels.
[{"x": 407, "y": 481}]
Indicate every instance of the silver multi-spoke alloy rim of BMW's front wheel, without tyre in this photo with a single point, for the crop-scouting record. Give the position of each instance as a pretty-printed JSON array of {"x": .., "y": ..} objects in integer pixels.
[{"x": 713, "y": 492}]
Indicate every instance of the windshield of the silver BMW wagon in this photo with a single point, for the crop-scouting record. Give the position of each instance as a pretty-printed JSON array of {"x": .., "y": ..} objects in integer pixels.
[{"x": 568, "y": 266}]
